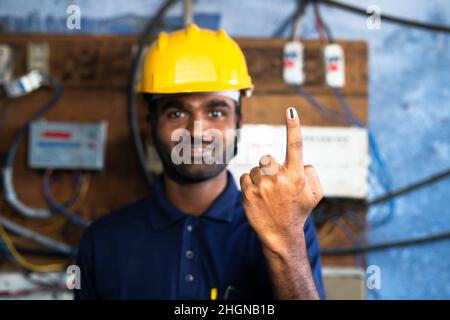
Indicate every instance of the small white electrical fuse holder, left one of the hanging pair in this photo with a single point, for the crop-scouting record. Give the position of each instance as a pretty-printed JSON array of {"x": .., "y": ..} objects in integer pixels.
[{"x": 293, "y": 72}]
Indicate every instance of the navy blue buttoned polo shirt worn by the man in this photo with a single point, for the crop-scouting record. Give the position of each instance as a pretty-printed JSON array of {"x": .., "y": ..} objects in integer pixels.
[{"x": 152, "y": 250}]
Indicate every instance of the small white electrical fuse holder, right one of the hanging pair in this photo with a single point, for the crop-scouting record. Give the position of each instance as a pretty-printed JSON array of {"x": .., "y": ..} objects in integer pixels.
[{"x": 334, "y": 65}]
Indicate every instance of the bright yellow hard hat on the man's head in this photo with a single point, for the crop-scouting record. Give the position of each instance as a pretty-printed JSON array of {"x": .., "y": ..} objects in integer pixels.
[{"x": 194, "y": 60}]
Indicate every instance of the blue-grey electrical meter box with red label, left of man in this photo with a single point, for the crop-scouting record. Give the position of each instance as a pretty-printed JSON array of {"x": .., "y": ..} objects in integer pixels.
[{"x": 67, "y": 145}]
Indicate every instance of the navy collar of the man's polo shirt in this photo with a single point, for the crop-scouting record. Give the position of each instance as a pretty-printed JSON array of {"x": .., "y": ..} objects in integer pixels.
[{"x": 222, "y": 209}]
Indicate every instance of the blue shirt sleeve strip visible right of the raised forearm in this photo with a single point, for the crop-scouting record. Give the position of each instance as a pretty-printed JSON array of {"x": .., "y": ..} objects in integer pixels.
[{"x": 313, "y": 251}]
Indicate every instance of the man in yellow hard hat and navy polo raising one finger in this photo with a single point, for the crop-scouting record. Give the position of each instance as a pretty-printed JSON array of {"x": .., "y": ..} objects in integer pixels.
[{"x": 196, "y": 236}]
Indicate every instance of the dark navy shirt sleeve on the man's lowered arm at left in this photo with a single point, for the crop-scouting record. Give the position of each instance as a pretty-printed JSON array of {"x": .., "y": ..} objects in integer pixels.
[{"x": 86, "y": 263}]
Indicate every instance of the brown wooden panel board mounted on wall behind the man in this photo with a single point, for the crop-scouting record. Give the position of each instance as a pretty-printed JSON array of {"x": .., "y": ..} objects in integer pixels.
[{"x": 94, "y": 70}]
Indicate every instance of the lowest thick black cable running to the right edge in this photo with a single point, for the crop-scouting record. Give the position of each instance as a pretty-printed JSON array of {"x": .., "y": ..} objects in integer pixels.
[{"x": 383, "y": 246}]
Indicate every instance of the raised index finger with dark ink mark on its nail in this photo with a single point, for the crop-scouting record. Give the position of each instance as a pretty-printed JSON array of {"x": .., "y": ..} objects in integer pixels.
[{"x": 294, "y": 143}]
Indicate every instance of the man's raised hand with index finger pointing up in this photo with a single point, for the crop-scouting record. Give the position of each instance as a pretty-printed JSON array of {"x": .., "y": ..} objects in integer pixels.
[{"x": 278, "y": 198}]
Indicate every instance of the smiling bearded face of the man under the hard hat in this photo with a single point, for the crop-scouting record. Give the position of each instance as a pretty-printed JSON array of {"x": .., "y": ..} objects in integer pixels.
[{"x": 206, "y": 121}]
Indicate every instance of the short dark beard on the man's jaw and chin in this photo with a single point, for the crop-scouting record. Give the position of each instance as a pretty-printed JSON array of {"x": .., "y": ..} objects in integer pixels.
[{"x": 190, "y": 173}]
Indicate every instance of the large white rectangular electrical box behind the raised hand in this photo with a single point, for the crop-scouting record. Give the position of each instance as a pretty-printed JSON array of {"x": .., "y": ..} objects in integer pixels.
[{"x": 339, "y": 154}]
